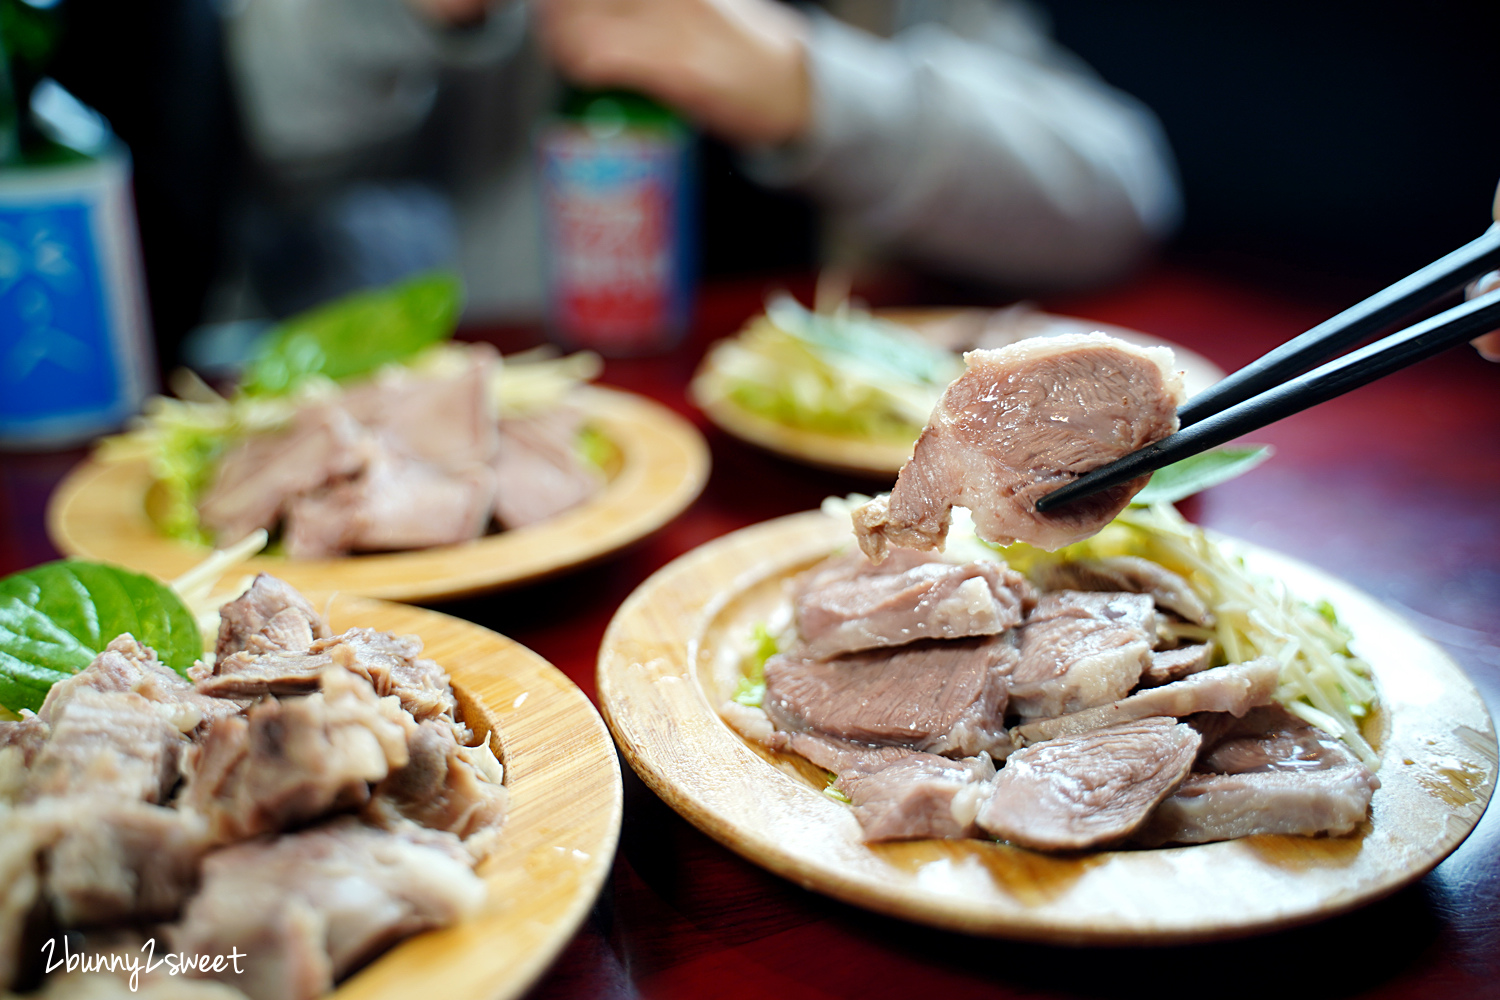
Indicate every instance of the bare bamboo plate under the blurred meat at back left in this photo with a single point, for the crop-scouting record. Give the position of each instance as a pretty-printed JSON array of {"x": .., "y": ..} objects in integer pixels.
[{"x": 100, "y": 513}]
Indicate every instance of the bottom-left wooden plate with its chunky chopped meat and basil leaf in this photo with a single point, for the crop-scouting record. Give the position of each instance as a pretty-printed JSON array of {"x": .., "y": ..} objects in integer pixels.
[{"x": 350, "y": 798}]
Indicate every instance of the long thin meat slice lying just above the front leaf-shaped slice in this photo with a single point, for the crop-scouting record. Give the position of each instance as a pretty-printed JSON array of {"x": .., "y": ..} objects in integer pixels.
[{"x": 1234, "y": 689}]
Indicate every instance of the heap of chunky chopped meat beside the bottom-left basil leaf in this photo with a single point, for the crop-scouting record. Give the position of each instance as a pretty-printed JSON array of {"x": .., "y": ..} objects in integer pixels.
[{"x": 308, "y": 800}]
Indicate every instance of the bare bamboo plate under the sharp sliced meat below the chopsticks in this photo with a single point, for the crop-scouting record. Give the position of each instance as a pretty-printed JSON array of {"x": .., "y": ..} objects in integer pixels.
[{"x": 674, "y": 653}]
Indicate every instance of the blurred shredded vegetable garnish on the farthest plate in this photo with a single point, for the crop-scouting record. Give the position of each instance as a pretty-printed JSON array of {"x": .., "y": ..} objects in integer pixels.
[{"x": 847, "y": 373}]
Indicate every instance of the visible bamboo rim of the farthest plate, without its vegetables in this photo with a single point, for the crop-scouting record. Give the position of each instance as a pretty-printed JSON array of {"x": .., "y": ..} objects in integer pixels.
[{"x": 884, "y": 460}]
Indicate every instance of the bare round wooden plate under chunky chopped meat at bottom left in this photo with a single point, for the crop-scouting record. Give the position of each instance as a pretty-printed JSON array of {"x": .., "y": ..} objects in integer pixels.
[{"x": 559, "y": 842}]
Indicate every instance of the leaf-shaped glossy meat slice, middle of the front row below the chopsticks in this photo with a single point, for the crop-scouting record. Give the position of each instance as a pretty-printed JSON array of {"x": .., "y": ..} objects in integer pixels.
[{"x": 1090, "y": 789}]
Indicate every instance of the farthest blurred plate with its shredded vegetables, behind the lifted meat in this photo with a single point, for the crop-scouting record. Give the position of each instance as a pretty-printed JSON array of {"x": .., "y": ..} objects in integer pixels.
[{"x": 851, "y": 391}]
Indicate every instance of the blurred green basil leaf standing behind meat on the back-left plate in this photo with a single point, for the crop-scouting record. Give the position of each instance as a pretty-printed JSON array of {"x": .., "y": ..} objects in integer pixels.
[{"x": 358, "y": 334}]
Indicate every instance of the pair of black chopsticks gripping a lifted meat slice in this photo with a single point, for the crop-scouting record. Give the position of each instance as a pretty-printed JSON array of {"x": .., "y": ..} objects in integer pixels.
[{"x": 1234, "y": 413}]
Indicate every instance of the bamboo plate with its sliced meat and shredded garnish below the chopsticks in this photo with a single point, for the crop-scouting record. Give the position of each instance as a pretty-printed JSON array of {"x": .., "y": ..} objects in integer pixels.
[{"x": 1097, "y": 750}]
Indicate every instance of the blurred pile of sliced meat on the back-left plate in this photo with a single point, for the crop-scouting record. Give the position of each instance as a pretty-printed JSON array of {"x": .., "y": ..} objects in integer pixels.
[{"x": 404, "y": 461}]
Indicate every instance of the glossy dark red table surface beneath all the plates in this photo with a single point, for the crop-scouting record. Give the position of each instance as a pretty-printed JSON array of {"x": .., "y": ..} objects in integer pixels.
[{"x": 1394, "y": 488}]
